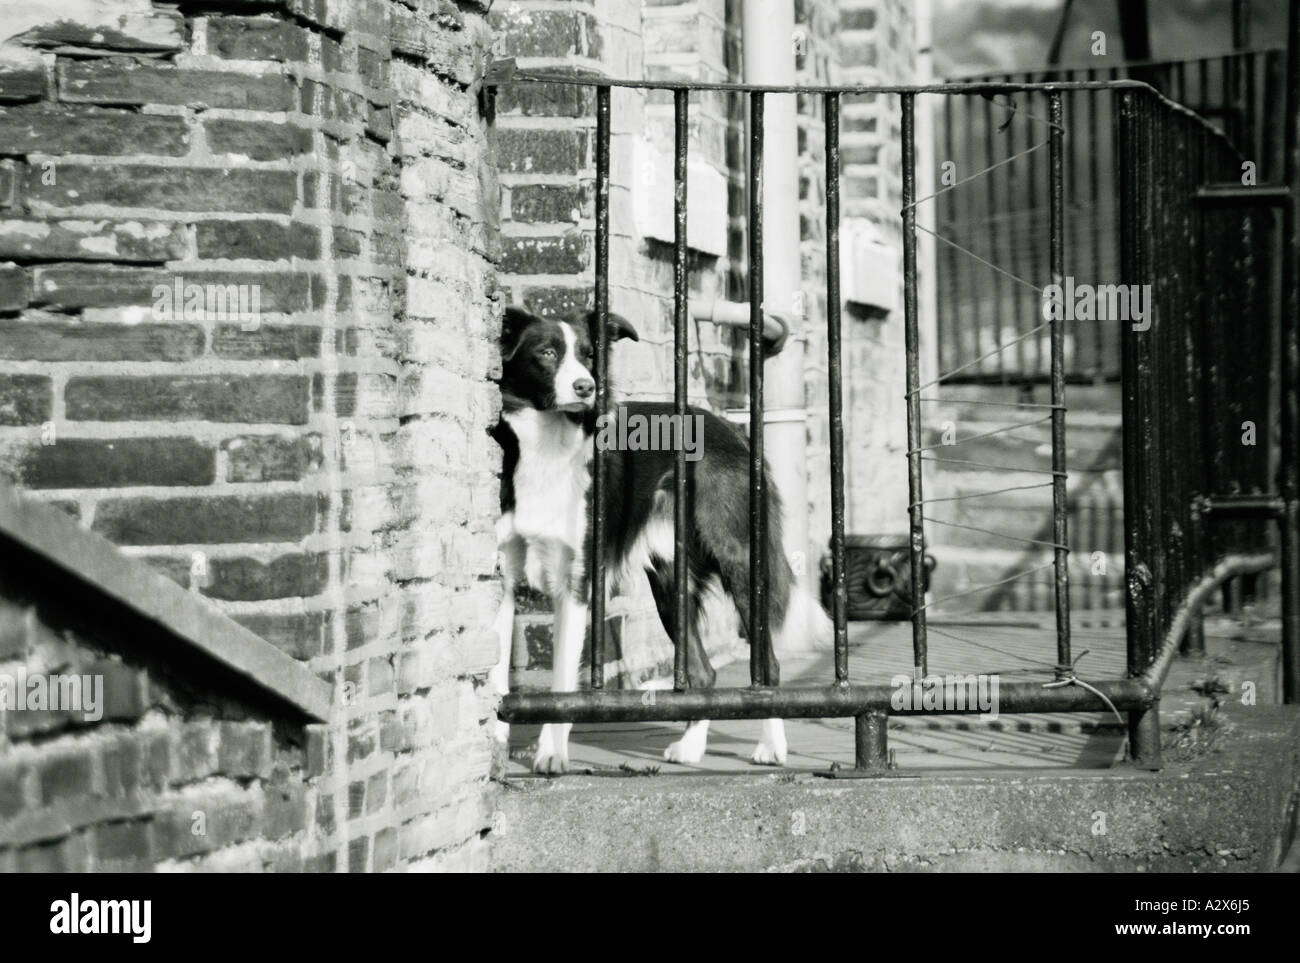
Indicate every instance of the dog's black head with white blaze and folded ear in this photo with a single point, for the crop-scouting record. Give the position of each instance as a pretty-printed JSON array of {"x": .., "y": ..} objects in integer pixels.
[{"x": 549, "y": 365}]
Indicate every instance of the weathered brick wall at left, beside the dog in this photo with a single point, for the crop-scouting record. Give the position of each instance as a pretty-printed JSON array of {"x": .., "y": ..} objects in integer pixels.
[{"x": 320, "y": 471}]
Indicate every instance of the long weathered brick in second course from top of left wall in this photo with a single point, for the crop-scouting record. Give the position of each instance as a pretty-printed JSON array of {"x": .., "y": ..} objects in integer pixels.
[{"x": 120, "y": 81}]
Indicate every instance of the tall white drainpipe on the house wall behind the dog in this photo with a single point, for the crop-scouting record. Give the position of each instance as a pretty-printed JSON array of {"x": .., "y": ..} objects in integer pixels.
[{"x": 768, "y": 33}]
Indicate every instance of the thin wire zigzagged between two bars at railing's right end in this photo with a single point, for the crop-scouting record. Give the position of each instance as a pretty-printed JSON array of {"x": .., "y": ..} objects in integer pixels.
[{"x": 1052, "y": 409}]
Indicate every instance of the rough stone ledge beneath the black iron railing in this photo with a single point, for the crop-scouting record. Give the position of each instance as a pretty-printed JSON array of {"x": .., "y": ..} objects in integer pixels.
[{"x": 1227, "y": 812}]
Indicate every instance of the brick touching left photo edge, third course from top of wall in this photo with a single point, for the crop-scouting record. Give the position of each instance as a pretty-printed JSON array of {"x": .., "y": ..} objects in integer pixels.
[{"x": 68, "y": 129}]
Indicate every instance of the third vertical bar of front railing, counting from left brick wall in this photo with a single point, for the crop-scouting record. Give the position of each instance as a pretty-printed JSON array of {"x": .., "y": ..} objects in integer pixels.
[{"x": 757, "y": 496}]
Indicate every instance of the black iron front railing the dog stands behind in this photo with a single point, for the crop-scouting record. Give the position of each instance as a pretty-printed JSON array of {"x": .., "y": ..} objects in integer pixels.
[{"x": 1165, "y": 153}]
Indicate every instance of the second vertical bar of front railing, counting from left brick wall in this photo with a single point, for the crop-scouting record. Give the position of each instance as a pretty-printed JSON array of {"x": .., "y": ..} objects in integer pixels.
[{"x": 681, "y": 357}]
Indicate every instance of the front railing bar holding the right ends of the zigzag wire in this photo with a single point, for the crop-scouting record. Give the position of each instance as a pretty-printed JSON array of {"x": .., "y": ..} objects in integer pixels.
[{"x": 1060, "y": 506}]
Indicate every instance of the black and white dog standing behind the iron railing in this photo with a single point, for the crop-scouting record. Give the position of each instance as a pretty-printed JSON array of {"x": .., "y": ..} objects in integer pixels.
[{"x": 547, "y": 433}]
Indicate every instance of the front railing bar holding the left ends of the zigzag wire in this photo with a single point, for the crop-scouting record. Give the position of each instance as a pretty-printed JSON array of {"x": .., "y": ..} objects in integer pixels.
[{"x": 912, "y": 339}]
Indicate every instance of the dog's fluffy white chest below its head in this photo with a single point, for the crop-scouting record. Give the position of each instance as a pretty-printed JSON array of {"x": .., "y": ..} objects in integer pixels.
[{"x": 552, "y": 479}]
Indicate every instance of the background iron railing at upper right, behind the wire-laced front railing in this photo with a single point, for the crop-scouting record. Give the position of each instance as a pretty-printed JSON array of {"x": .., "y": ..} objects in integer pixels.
[{"x": 1007, "y": 223}]
